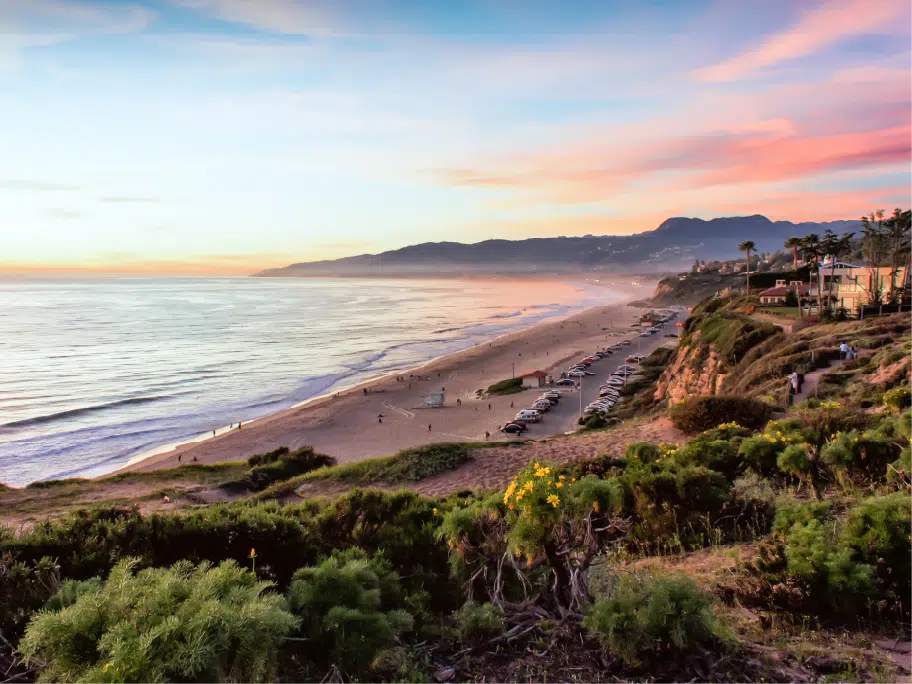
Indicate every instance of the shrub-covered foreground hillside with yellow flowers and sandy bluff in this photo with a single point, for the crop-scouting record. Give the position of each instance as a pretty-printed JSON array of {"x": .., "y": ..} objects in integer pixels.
[{"x": 773, "y": 544}]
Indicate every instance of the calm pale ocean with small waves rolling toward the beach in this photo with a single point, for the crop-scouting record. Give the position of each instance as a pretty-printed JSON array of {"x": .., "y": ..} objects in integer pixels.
[{"x": 94, "y": 373}]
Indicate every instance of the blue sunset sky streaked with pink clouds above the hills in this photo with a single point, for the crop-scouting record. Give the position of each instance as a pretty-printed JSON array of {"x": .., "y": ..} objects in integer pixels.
[{"x": 226, "y": 136}]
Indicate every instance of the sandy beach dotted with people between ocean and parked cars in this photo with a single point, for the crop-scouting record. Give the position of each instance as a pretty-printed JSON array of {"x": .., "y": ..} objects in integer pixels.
[{"x": 349, "y": 427}]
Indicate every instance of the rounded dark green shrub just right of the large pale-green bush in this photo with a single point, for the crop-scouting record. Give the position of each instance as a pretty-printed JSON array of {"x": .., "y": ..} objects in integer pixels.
[{"x": 345, "y": 604}]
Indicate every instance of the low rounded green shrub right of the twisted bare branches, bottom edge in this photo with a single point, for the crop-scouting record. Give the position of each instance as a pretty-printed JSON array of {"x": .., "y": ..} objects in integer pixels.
[{"x": 654, "y": 617}]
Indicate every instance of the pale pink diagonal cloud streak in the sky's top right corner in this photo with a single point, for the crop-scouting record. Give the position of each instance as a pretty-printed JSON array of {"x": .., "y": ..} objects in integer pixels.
[{"x": 823, "y": 26}]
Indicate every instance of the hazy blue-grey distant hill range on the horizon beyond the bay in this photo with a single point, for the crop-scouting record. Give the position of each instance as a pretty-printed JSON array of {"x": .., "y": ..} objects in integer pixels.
[{"x": 672, "y": 246}]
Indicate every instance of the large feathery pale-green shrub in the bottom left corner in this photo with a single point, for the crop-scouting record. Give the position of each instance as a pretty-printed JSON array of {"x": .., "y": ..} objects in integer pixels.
[{"x": 184, "y": 623}]
